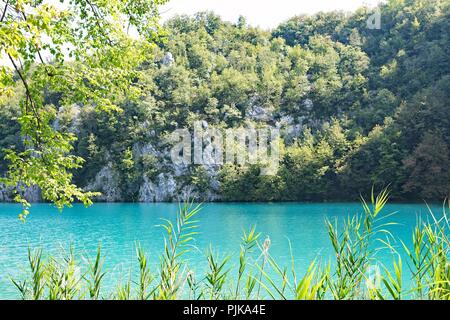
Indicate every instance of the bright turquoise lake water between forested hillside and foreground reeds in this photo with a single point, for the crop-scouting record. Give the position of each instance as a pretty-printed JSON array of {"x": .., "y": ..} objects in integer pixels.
[{"x": 118, "y": 226}]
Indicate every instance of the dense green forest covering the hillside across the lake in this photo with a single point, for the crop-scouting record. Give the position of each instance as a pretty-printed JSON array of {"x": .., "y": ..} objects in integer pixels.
[{"x": 366, "y": 107}]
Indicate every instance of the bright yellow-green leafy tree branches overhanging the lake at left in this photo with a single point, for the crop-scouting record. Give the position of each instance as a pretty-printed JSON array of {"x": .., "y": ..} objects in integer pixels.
[{"x": 82, "y": 51}]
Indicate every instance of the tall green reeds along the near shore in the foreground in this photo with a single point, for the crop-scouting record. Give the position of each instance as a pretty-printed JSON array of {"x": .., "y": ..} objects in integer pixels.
[{"x": 258, "y": 276}]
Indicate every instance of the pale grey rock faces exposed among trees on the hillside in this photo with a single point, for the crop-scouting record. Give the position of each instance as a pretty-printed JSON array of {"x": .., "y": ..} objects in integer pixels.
[{"x": 166, "y": 181}]
